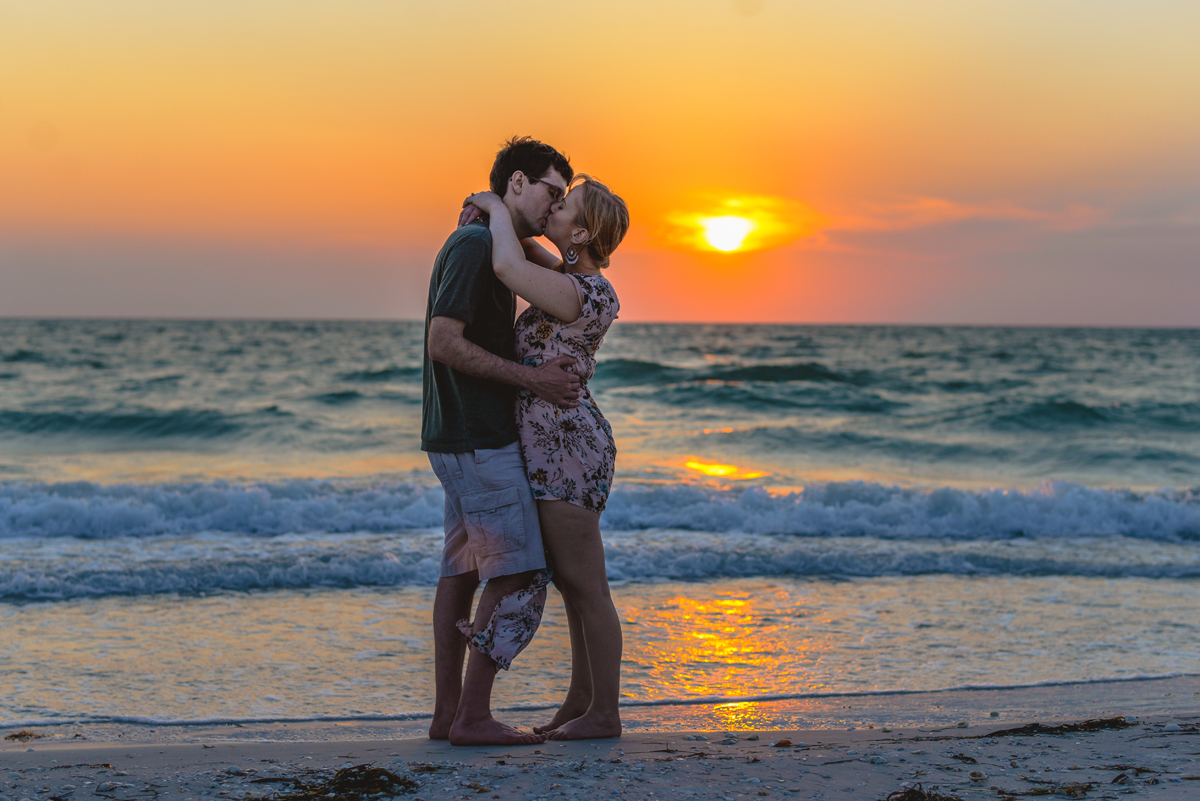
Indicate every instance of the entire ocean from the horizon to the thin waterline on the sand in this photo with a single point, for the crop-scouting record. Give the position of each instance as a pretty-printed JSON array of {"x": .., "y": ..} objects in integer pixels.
[{"x": 207, "y": 522}]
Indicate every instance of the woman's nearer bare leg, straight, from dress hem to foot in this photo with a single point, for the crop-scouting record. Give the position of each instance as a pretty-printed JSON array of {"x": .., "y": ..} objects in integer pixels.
[{"x": 573, "y": 537}]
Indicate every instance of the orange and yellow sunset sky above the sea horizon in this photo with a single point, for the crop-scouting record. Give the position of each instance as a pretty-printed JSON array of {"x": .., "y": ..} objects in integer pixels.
[{"x": 968, "y": 161}]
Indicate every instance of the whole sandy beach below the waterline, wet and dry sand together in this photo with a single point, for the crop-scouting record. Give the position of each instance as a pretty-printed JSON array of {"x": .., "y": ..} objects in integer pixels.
[{"x": 855, "y": 754}]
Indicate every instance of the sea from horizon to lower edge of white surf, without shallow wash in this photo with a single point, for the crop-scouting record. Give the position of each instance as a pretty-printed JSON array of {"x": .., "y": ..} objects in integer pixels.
[{"x": 145, "y": 457}]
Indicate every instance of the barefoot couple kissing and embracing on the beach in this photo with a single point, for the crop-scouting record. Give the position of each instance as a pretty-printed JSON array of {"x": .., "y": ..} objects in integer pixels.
[{"x": 519, "y": 444}]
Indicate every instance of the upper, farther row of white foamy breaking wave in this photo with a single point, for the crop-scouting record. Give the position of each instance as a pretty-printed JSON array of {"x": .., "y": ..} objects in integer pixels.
[{"x": 1057, "y": 510}]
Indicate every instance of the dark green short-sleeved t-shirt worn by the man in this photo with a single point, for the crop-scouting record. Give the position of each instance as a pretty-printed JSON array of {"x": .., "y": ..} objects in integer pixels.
[{"x": 460, "y": 412}]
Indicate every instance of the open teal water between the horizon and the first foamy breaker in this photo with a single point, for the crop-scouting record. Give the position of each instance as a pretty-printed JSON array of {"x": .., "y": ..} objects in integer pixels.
[{"x": 909, "y": 406}]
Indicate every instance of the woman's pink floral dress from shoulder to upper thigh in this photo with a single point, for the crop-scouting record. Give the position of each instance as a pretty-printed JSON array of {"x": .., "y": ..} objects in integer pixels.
[{"x": 569, "y": 454}]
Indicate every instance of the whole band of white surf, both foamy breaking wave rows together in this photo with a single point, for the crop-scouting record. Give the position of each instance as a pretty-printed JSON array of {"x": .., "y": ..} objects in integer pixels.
[{"x": 77, "y": 540}]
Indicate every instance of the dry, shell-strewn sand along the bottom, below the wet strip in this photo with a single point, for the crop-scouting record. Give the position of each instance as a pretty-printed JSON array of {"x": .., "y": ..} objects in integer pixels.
[{"x": 1155, "y": 760}]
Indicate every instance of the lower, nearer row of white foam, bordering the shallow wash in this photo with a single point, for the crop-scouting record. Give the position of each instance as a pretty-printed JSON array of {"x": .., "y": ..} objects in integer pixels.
[{"x": 62, "y": 570}]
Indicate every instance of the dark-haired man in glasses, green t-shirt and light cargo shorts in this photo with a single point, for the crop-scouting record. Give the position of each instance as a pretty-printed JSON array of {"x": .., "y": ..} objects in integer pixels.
[{"x": 469, "y": 427}]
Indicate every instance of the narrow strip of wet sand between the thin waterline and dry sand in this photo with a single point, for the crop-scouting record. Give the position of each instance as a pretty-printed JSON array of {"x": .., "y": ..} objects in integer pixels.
[{"x": 977, "y": 707}]
